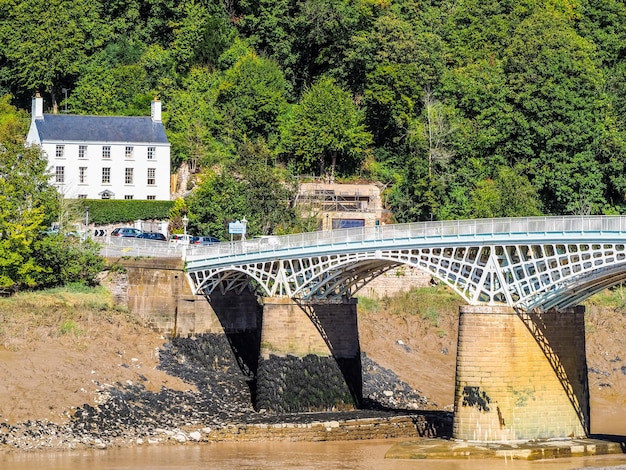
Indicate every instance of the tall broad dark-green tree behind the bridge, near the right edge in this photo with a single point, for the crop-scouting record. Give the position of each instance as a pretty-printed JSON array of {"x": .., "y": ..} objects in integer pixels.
[{"x": 556, "y": 91}]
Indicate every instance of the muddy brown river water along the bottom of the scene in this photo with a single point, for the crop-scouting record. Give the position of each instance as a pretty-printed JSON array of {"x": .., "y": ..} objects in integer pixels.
[{"x": 275, "y": 456}]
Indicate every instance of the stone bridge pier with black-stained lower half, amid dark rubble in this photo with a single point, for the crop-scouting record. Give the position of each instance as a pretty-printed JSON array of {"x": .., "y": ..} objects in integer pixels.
[{"x": 310, "y": 358}]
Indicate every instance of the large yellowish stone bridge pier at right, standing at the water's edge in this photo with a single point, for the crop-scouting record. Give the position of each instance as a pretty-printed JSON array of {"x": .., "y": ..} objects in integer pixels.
[{"x": 520, "y": 377}]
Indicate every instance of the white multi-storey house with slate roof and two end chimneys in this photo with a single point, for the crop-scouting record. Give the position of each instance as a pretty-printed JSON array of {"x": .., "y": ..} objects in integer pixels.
[{"x": 104, "y": 157}]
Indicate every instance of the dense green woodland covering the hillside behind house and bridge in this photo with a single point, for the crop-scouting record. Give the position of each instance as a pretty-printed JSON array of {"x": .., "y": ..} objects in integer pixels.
[{"x": 458, "y": 108}]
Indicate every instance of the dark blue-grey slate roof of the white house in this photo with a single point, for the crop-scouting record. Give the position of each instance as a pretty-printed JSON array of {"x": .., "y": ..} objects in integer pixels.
[{"x": 73, "y": 128}]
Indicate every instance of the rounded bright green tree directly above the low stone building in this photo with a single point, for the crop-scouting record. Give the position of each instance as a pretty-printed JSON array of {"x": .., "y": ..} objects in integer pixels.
[{"x": 326, "y": 129}]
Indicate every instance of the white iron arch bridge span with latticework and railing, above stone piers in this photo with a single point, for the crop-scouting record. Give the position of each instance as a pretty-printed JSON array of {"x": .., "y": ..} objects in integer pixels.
[{"x": 534, "y": 263}]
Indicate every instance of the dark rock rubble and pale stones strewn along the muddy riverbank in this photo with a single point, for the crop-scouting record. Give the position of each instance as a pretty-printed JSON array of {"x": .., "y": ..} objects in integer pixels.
[{"x": 219, "y": 396}]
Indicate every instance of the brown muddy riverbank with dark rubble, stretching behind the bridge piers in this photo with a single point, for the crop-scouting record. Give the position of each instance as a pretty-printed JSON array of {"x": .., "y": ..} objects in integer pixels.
[{"x": 78, "y": 373}]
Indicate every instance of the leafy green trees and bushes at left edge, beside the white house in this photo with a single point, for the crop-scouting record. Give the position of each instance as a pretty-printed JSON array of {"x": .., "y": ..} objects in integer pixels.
[{"x": 27, "y": 205}]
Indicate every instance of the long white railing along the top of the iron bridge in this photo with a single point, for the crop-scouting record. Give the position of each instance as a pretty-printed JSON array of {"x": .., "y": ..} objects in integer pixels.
[{"x": 417, "y": 230}]
